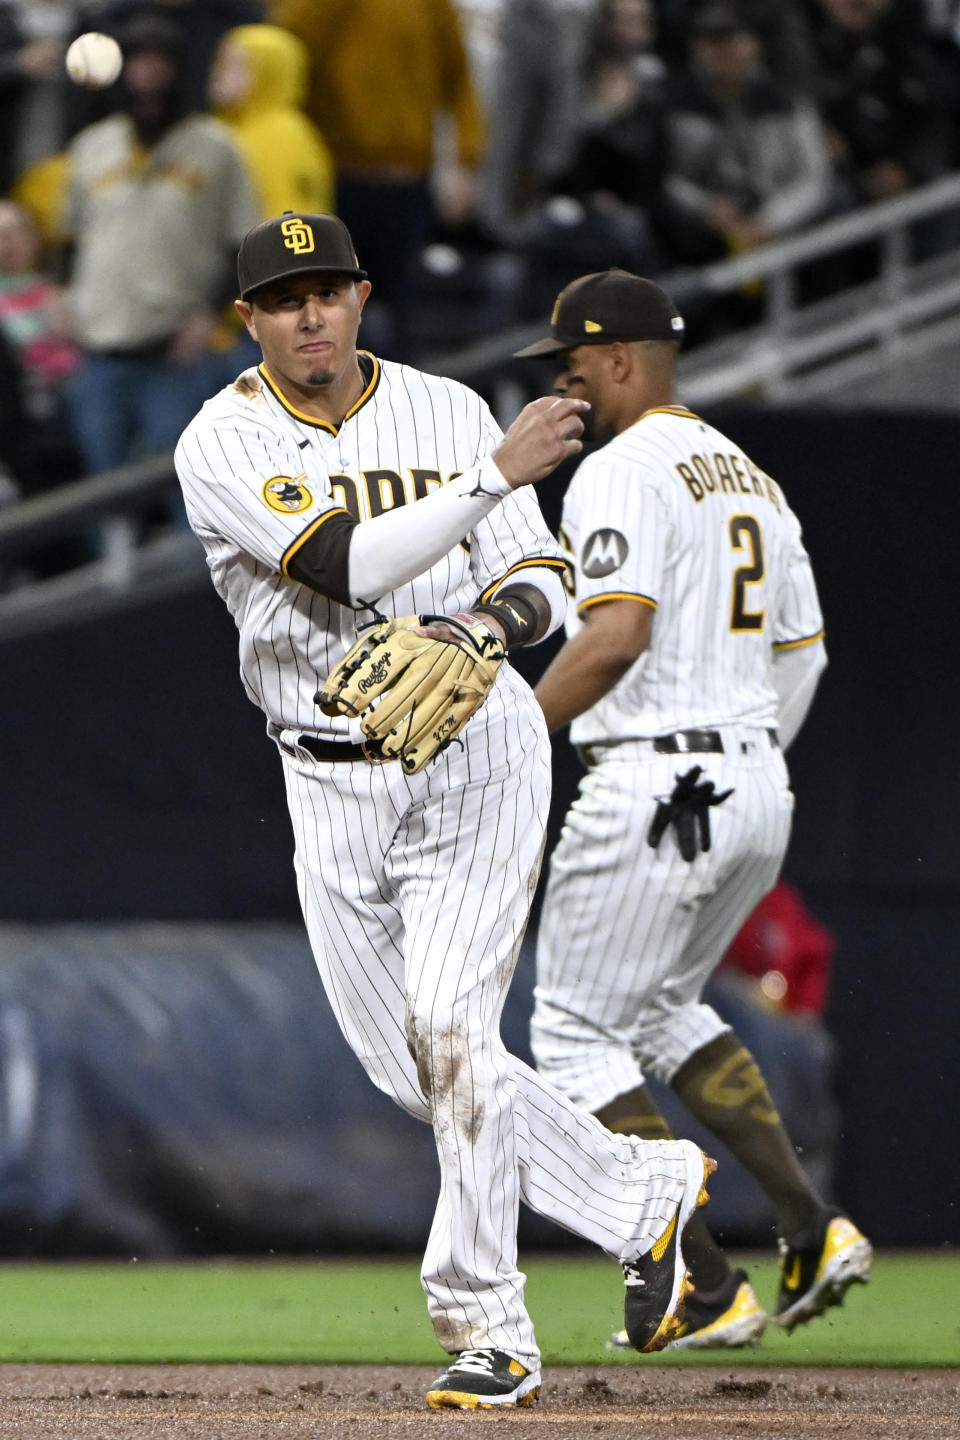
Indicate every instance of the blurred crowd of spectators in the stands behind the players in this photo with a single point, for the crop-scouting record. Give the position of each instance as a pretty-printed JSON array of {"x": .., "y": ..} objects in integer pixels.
[{"x": 481, "y": 152}]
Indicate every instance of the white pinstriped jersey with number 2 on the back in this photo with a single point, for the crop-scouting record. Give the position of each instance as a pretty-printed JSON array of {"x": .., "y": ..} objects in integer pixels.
[{"x": 674, "y": 515}]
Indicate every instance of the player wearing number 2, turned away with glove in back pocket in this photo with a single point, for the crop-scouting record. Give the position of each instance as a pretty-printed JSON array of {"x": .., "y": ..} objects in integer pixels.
[{"x": 694, "y": 650}]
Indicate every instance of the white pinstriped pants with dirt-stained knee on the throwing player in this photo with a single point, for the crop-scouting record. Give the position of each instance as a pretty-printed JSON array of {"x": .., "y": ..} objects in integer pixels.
[{"x": 415, "y": 892}]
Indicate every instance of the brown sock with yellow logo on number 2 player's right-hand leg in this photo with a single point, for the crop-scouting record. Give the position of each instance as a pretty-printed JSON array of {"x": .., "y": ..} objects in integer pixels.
[{"x": 725, "y": 1088}]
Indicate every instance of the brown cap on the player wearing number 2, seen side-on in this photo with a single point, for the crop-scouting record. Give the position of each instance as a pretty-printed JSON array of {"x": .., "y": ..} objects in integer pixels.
[{"x": 614, "y": 305}]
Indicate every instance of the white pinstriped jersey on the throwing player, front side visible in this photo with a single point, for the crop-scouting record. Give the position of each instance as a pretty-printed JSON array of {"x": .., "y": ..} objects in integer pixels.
[{"x": 257, "y": 474}]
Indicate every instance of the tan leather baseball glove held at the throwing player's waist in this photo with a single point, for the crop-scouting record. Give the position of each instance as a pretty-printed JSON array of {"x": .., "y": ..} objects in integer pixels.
[{"x": 414, "y": 695}]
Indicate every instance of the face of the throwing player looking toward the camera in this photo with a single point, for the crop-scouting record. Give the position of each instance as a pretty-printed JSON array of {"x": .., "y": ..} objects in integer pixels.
[{"x": 307, "y": 328}]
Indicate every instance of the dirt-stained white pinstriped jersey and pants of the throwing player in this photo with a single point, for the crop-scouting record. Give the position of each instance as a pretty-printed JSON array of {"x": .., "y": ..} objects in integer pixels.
[{"x": 417, "y": 888}]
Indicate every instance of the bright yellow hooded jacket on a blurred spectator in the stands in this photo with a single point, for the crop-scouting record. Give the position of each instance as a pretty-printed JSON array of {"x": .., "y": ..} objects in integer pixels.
[{"x": 287, "y": 158}]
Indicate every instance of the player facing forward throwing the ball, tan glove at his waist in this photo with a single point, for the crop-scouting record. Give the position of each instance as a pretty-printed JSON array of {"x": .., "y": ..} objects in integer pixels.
[{"x": 369, "y": 531}]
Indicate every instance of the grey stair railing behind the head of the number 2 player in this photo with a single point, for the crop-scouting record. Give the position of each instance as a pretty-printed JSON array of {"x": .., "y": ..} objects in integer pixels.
[{"x": 797, "y": 349}]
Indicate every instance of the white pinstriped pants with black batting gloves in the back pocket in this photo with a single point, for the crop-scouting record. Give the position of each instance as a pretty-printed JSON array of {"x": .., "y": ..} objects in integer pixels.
[{"x": 630, "y": 935}]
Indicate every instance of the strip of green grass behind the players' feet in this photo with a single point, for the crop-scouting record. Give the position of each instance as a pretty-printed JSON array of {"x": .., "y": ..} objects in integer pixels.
[{"x": 373, "y": 1313}]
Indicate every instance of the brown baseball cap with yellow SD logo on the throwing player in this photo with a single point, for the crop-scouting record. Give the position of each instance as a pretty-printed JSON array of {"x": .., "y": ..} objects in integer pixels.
[{"x": 293, "y": 246}]
